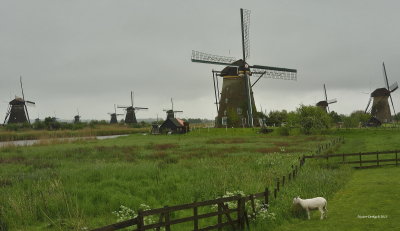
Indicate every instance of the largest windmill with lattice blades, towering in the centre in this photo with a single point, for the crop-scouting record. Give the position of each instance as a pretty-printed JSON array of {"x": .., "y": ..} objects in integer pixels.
[{"x": 236, "y": 105}]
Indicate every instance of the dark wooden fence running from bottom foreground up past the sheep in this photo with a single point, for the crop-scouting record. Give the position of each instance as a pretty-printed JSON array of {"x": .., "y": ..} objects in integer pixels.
[{"x": 235, "y": 218}]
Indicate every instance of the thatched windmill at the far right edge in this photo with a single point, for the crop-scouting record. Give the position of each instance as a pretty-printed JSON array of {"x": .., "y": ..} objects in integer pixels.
[{"x": 380, "y": 108}]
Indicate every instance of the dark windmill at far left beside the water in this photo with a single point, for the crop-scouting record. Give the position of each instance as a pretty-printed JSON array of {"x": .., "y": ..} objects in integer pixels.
[{"x": 17, "y": 111}]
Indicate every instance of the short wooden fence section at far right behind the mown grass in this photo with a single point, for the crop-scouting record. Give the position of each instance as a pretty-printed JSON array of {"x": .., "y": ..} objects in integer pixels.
[{"x": 360, "y": 162}]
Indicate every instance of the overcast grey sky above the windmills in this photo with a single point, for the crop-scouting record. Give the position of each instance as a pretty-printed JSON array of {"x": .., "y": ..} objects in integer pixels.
[{"x": 89, "y": 55}]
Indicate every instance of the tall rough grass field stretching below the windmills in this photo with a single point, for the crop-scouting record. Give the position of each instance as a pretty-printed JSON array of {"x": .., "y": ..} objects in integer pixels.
[{"x": 77, "y": 185}]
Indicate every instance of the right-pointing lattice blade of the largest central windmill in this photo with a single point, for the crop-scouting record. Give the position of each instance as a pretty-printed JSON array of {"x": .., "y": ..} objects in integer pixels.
[{"x": 274, "y": 72}]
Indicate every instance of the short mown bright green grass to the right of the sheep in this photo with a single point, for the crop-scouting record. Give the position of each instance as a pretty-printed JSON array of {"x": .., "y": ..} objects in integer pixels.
[{"x": 370, "y": 192}]
